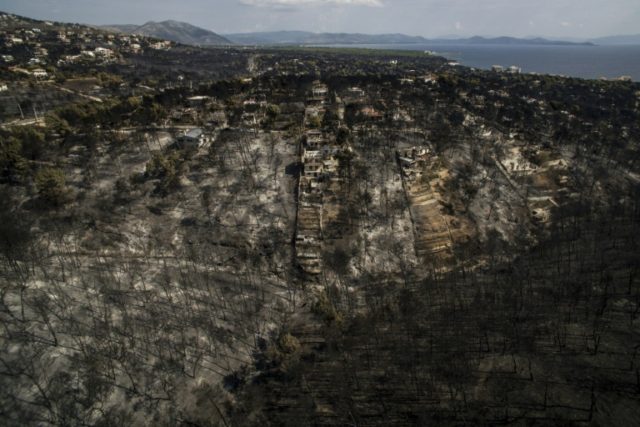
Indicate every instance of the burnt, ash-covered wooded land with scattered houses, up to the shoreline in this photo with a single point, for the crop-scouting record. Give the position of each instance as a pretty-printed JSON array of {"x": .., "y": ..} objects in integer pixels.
[{"x": 309, "y": 236}]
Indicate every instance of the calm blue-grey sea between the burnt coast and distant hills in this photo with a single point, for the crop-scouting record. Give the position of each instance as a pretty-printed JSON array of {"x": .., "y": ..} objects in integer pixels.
[{"x": 589, "y": 62}]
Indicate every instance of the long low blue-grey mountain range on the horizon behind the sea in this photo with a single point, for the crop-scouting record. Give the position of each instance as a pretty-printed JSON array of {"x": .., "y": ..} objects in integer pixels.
[{"x": 307, "y": 38}]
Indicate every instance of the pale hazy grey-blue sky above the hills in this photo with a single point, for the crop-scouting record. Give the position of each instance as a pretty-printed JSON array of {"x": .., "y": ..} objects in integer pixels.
[{"x": 558, "y": 18}]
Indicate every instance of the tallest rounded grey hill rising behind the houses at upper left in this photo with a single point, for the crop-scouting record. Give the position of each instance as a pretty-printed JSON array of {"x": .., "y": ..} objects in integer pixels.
[{"x": 176, "y": 31}]
